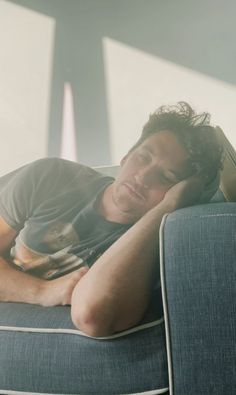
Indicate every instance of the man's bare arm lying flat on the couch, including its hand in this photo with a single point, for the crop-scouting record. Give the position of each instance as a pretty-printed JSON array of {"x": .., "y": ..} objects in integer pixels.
[{"x": 16, "y": 286}]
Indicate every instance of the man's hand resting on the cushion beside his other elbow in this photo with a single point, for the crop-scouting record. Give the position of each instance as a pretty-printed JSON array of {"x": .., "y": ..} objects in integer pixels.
[{"x": 59, "y": 291}]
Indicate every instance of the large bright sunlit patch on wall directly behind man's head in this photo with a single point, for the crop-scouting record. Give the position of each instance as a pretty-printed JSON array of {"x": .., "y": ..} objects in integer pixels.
[{"x": 137, "y": 83}]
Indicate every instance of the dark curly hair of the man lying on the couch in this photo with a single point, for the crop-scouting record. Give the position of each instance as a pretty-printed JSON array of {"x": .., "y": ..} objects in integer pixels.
[{"x": 193, "y": 131}]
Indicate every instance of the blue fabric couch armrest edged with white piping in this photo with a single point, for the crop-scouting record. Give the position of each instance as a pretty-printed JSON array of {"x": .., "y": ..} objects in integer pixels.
[{"x": 198, "y": 272}]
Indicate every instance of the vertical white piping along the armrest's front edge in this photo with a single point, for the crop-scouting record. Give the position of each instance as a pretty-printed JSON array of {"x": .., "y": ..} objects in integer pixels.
[{"x": 164, "y": 301}]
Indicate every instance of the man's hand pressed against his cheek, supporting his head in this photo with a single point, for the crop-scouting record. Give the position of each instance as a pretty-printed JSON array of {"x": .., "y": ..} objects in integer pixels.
[{"x": 185, "y": 193}]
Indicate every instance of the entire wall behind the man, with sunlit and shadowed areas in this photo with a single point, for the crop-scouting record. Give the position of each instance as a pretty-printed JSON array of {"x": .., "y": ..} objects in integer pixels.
[{"x": 122, "y": 59}]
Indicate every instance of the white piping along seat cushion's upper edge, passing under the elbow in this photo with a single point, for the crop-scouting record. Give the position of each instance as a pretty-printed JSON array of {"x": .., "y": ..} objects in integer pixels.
[{"x": 77, "y": 332}]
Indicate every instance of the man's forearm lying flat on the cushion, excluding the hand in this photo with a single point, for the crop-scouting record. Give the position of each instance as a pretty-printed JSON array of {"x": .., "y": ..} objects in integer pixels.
[{"x": 16, "y": 286}]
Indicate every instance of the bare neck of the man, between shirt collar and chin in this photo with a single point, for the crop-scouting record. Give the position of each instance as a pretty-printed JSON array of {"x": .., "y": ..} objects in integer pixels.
[{"x": 108, "y": 209}]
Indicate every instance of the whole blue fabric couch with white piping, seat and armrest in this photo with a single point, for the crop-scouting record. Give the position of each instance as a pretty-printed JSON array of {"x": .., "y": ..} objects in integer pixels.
[{"x": 192, "y": 351}]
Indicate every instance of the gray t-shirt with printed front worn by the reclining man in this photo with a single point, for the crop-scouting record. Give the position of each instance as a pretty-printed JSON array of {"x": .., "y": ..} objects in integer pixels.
[{"x": 51, "y": 204}]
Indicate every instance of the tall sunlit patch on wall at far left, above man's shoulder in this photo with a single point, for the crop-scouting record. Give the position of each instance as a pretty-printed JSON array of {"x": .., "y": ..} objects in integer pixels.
[{"x": 27, "y": 46}]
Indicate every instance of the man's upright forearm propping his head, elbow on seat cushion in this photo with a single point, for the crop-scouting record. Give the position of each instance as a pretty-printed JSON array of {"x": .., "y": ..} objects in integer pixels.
[{"x": 115, "y": 292}]
